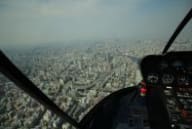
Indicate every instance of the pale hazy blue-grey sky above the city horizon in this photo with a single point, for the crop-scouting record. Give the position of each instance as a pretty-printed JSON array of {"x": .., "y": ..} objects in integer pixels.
[{"x": 41, "y": 21}]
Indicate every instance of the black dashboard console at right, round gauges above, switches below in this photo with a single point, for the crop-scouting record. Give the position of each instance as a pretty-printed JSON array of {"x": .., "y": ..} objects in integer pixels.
[{"x": 171, "y": 76}]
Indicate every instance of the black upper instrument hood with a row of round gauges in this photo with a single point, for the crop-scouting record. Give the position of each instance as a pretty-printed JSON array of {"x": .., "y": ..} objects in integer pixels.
[{"x": 174, "y": 69}]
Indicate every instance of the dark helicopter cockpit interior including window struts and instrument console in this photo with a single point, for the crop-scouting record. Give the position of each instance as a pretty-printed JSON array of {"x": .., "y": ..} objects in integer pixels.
[{"x": 162, "y": 100}]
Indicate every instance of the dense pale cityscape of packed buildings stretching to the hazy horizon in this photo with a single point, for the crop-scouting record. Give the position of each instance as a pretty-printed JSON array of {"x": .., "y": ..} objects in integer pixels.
[{"x": 75, "y": 77}]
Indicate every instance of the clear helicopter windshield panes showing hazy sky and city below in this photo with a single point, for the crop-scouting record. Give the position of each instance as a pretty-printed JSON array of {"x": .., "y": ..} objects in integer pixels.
[{"x": 78, "y": 52}]
